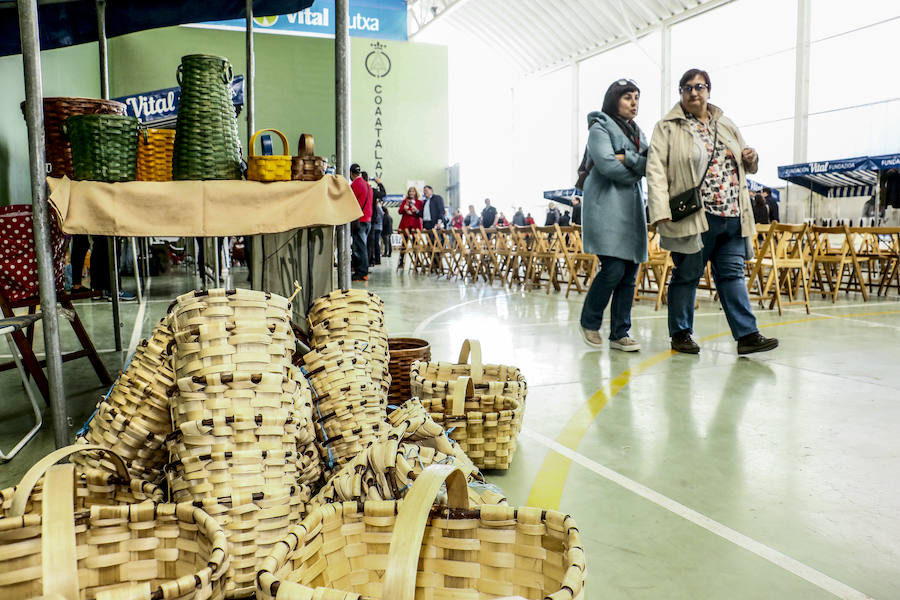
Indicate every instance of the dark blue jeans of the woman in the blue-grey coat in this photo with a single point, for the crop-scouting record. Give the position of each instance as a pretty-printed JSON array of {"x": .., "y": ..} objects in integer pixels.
[{"x": 616, "y": 279}]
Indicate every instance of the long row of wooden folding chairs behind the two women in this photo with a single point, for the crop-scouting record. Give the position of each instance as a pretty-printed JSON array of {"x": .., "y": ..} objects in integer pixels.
[{"x": 790, "y": 262}]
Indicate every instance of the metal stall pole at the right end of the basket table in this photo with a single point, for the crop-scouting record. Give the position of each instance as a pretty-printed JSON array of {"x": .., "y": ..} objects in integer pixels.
[{"x": 342, "y": 129}]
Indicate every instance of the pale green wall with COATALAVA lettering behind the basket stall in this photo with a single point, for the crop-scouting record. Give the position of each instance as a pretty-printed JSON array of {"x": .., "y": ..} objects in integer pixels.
[{"x": 295, "y": 94}]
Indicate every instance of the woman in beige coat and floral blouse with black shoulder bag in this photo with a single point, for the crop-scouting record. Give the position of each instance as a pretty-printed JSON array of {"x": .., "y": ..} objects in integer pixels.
[{"x": 695, "y": 144}]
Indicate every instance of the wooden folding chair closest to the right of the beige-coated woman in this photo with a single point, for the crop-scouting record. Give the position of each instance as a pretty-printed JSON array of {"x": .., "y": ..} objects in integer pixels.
[{"x": 781, "y": 267}]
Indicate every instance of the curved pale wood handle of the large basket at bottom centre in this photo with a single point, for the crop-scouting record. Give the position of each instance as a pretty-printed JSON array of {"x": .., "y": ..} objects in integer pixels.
[{"x": 406, "y": 542}]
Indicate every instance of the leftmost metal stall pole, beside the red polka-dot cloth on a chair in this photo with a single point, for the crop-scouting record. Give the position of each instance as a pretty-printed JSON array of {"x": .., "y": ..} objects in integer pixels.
[{"x": 34, "y": 117}]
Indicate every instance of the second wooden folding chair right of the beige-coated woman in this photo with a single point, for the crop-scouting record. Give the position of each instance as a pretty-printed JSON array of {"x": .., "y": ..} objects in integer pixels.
[{"x": 835, "y": 262}]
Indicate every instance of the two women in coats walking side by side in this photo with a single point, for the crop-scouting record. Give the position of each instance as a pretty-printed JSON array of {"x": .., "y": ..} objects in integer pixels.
[{"x": 695, "y": 152}]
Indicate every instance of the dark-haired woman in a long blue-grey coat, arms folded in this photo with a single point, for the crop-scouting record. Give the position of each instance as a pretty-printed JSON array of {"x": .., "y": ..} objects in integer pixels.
[{"x": 614, "y": 222}]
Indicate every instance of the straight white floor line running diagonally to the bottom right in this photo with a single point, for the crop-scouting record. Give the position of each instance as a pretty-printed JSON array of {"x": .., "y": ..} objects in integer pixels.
[{"x": 813, "y": 576}]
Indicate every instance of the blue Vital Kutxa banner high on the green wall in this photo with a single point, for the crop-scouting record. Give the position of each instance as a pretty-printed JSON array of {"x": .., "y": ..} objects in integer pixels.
[{"x": 381, "y": 19}]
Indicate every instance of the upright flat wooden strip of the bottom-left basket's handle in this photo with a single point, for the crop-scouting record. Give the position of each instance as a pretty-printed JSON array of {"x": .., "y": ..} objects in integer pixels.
[{"x": 59, "y": 564}]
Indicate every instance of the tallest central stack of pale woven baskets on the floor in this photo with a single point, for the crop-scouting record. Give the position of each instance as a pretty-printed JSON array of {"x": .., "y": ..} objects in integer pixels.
[{"x": 242, "y": 417}]
